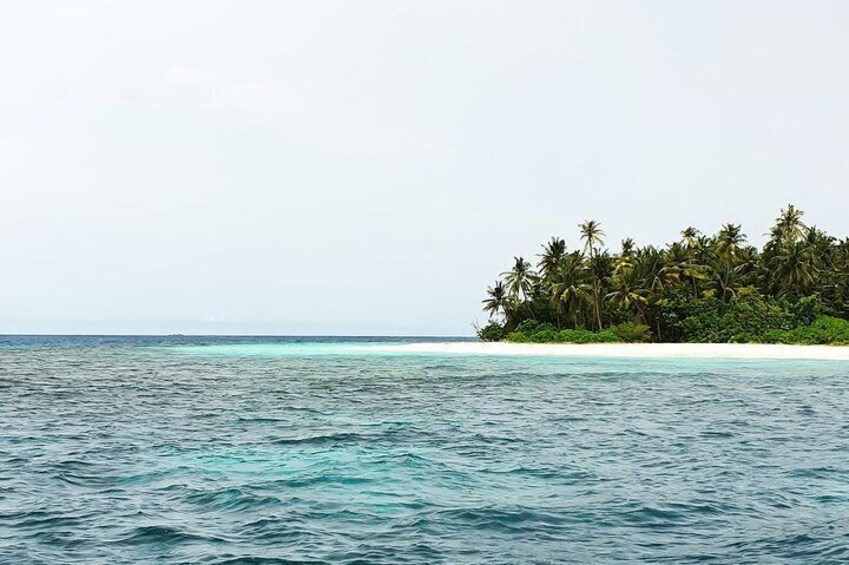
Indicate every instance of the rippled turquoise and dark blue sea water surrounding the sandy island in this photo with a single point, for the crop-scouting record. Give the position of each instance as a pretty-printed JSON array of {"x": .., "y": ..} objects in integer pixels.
[{"x": 259, "y": 450}]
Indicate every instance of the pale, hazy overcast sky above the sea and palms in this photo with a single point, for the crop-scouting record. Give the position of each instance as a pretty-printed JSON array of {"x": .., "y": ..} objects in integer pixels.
[{"x": 369, "y": 167}]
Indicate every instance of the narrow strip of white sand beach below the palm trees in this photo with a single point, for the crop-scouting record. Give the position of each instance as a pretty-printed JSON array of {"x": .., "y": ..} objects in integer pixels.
[{"x": 657, "y": 350}]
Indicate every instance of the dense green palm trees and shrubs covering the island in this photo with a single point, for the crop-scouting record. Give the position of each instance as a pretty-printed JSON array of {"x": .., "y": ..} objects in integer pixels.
[{"x": 698, "y": 289}]
